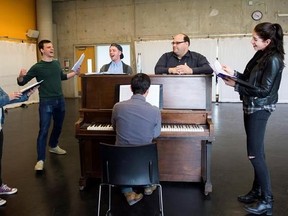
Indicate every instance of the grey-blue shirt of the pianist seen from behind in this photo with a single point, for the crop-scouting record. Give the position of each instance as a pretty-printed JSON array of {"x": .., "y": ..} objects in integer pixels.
[{"x": 136, "y": 121}]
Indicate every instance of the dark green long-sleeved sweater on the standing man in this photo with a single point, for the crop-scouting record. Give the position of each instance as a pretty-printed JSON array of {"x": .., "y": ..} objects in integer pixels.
[{"x": 52, "y": 75}]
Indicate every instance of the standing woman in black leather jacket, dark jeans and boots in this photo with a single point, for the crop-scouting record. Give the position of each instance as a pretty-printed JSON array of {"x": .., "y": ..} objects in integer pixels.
[{"x": 264, "y": 73}]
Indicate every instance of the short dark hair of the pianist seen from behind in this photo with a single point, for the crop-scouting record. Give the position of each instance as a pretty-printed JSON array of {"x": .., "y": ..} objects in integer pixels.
[{"x": 140, "y": 83}]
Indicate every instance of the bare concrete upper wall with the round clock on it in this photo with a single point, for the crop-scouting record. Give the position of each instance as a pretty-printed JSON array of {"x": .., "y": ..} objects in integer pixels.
[{"x": 127, "y": 21}]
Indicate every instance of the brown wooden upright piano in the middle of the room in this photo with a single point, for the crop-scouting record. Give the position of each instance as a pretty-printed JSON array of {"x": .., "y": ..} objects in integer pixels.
[{"x": 184, "y": 146}]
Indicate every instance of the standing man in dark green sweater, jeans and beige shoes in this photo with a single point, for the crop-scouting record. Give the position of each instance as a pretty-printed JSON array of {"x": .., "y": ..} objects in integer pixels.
[{"x": 51, "y": 103}]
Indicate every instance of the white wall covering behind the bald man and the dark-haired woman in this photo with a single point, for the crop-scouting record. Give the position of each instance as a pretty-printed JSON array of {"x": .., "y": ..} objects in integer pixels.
[{"x": 233, "y": 51}]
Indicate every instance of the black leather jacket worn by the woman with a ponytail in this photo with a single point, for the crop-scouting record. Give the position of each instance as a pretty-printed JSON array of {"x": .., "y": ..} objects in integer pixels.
[{"x": 266, "y": 81}]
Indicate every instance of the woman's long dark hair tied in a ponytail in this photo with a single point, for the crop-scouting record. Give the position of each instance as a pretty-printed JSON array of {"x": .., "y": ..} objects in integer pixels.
[{"x": 274, "y": 32}]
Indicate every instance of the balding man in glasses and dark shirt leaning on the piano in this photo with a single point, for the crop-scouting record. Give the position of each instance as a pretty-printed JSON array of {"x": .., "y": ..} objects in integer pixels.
[{"x": 181, "y": 60}]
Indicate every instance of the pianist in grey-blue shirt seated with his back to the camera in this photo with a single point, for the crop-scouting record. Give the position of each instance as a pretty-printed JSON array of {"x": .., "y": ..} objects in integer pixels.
[{"x": 136, "y": 122}]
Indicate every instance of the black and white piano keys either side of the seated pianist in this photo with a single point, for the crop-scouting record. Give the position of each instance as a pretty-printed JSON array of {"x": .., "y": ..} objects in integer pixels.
[{"x": 164, "y": 128}]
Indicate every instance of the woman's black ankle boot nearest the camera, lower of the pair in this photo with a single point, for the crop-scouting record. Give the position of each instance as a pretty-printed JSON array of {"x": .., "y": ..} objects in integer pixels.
[{"x": 264, "y": 206}]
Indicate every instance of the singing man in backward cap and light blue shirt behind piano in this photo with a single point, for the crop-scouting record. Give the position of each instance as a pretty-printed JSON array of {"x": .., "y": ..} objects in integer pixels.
[{"x": 116, "y": 65}]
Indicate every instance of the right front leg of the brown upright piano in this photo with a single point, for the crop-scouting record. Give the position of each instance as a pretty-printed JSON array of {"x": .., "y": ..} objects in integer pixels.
[{"x": 206, "y": 166}]
